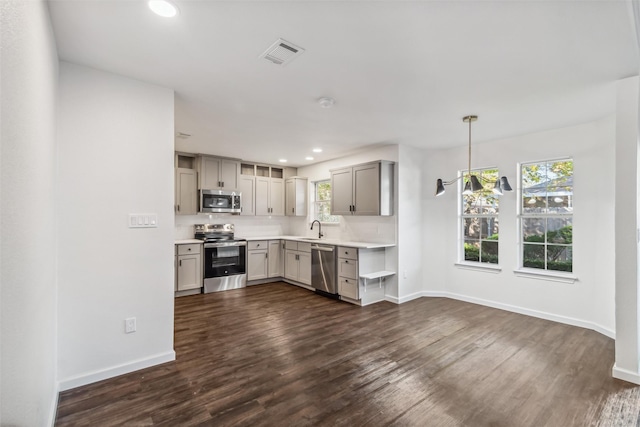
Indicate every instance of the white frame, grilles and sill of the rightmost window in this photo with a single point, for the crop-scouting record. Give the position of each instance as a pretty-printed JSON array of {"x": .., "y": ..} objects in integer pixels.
[{"x": 522, "y": 270}]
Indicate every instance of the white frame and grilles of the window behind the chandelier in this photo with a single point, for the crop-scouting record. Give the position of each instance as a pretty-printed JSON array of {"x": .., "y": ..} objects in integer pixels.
[{"x": 479, "y": 264}]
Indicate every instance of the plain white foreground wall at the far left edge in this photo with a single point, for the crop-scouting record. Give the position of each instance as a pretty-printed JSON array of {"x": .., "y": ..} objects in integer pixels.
[{"x": 29, "y": 69}]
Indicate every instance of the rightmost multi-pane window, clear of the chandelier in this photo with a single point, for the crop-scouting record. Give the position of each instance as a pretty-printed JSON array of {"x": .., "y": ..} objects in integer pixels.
[{"x": 546, "y": 219}]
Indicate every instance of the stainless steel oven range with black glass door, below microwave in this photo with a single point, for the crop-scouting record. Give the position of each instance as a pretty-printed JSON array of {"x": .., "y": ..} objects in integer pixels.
[{"x": 225, "y": 257}]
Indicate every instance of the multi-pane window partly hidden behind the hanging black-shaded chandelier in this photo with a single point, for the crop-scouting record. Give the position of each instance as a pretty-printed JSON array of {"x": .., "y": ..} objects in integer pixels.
[{"x": 479, "y": 221}]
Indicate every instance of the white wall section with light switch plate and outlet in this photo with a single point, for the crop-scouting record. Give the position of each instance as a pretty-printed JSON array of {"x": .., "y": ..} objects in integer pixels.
[{"x": 115, "y": 138}]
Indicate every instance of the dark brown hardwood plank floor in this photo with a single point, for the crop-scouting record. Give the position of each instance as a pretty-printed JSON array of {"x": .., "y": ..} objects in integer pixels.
[{"x": 278, "y": 355}]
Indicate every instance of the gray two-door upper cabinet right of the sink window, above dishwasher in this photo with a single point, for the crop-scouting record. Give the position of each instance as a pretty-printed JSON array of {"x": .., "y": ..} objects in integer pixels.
[{"x": 365, "y": 189}]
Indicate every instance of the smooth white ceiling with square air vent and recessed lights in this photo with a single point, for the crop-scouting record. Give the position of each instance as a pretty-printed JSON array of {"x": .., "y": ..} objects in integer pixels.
[{"x": 400, "y": 72}]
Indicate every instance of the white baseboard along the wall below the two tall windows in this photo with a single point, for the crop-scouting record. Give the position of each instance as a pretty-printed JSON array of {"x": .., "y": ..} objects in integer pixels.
[{"x": 512, "y": 308}]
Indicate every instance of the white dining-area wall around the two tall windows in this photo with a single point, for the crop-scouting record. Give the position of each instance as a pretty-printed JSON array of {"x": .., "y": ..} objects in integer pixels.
[{"x": 588, "y": 302}]
